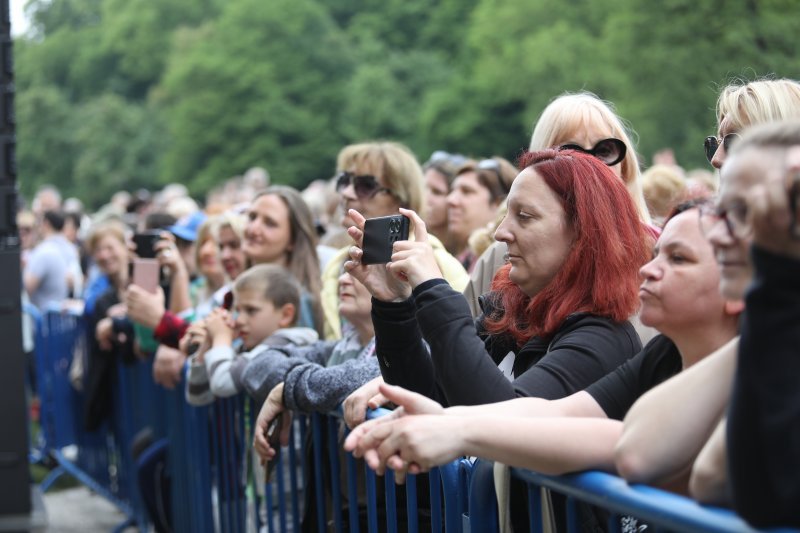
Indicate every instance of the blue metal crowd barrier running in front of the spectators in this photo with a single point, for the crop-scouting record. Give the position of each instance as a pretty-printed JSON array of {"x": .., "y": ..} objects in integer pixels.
[{"x": 214, "y": 485}]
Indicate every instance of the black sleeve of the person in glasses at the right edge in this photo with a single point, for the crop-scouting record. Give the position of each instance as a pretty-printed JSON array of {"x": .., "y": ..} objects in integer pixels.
[{"x": 764, "y": 419}]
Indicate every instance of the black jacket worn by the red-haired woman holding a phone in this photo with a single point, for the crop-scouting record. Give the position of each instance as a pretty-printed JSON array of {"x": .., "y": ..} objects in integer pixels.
[{"x": 461, "y": 368}]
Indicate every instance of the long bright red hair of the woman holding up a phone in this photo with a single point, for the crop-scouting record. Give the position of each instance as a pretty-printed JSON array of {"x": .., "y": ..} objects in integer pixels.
[{"x": 601, "y": 273}]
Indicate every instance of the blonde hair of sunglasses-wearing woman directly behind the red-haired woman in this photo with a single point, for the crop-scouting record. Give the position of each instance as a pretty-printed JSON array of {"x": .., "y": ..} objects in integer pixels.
[{"x": 572, "y": 112}]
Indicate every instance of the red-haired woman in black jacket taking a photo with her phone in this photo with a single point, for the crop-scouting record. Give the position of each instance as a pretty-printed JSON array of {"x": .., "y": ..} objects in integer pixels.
[{"x": 556, "y": 319}]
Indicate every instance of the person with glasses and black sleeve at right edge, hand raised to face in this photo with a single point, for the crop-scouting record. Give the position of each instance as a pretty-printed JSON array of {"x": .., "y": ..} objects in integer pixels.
[{"x": 763, "y": 174}]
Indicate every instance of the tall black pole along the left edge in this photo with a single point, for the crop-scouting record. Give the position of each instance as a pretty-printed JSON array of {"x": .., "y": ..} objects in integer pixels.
[{"x": 15, "y": 482}]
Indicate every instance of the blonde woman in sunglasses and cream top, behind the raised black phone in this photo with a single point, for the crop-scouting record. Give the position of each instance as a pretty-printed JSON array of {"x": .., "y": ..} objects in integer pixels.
[{"x": 377, "y": 179}]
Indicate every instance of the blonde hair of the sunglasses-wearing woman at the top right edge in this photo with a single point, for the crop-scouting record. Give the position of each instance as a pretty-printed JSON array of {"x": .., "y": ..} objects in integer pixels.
[{"x": 756, "y": 102}]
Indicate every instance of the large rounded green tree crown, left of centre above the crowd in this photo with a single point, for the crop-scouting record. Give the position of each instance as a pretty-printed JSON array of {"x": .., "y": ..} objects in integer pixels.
[{"x": 263, "y": 85}]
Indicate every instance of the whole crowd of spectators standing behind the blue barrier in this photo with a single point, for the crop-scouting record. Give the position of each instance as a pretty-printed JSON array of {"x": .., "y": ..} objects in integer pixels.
[{"x": 568, "y": 313}]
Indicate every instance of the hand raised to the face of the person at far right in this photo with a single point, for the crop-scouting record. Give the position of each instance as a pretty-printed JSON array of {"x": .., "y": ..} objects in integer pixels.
[{"x": 775, "y": 227}]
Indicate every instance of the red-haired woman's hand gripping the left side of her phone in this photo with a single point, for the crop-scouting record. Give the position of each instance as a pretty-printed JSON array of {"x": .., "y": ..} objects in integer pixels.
[{"x": 376, "y": 278}]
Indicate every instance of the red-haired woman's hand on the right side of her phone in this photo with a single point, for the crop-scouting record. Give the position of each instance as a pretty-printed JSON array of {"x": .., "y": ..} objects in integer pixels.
[{"x": 413, "y": 261}]
